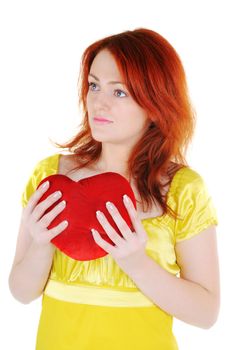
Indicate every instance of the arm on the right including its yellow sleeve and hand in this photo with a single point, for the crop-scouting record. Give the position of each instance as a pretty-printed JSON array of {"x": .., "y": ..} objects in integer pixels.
[{"x": 194, "y": 297}]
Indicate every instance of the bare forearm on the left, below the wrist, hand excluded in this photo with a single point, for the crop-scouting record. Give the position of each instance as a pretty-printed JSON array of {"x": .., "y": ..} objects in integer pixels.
[{"x": 28, "y": 278}]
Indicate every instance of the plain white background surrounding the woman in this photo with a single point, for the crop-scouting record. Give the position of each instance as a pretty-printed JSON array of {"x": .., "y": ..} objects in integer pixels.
[{"x": 41, "y": 45}]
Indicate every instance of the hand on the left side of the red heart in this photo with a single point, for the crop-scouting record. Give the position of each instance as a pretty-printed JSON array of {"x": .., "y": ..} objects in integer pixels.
[{"x": 35, "y": 222}]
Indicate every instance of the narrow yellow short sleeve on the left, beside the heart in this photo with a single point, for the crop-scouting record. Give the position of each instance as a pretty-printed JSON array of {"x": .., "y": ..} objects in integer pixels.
[{"x": 42, "y": 169}]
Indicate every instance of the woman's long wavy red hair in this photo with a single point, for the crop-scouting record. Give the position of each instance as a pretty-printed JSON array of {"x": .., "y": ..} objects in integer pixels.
[{"x": 156, "y": 80}]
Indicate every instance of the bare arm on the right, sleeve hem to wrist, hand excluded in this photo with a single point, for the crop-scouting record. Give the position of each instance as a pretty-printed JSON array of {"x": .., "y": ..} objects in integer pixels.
[{"x": 195, "y": 296}]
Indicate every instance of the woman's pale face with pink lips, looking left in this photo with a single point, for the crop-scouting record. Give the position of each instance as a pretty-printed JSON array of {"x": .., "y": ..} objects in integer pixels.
[{"x": 109, "y": 98}]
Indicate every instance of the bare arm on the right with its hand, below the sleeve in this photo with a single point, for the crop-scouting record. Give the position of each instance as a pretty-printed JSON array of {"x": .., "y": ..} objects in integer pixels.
[{"x": 194, "y": 297}]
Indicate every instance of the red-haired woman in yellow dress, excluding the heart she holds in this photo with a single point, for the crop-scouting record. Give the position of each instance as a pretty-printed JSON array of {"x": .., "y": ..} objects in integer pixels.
[{"x": 169, "y": 265}]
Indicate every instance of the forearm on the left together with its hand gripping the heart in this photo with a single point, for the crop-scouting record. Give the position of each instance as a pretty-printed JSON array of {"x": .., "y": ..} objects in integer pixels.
[{"x": 34, "y": 251}]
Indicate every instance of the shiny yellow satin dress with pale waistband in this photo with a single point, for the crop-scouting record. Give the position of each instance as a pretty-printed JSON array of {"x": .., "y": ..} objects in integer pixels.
[{"x": 93, "y": 305}]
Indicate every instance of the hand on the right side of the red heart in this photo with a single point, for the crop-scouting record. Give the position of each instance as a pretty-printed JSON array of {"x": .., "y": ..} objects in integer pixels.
[{"x": 129, "y": 250}]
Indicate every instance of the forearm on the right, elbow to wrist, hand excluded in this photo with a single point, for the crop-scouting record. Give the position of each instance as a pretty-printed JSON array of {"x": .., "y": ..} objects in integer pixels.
[{"x": 181, "y": 298}]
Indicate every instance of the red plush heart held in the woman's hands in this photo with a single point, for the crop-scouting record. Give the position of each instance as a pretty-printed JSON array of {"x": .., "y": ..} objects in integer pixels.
[{"x": 83, "y": 198}]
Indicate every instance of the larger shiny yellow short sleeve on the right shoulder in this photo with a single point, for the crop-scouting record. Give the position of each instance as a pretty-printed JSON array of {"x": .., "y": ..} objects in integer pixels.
[{"x": 195, "y": 206}]
